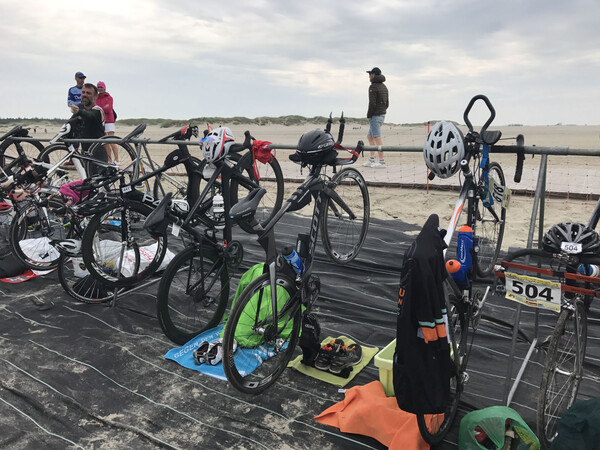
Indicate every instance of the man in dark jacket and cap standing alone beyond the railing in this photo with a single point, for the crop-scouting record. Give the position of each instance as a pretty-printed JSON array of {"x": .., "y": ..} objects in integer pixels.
[{"x": 378, "y": 105}]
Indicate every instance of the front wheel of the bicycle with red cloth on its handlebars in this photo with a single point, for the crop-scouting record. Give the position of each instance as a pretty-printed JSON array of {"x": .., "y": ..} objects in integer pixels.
[{"x": 271, "y": 179}]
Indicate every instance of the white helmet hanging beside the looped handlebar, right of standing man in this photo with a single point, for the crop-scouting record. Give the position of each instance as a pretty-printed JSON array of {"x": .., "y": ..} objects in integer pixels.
[{"x": 444, "y": 149}]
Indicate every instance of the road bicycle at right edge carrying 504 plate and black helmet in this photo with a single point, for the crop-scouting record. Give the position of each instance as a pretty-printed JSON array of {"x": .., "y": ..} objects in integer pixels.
[{"x": 561, "y": 277}]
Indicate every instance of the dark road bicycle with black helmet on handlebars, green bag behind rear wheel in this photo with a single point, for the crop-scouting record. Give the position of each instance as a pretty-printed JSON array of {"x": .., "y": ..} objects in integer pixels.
[{"x": 268, "y": 313}]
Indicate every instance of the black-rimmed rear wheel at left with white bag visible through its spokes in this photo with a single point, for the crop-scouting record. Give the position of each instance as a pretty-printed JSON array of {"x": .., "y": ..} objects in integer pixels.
[{"x": 121, "y": 261}]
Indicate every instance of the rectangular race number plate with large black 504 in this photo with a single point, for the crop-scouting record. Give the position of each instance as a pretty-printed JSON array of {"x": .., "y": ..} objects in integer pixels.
[{"x": 532, "y": 291}]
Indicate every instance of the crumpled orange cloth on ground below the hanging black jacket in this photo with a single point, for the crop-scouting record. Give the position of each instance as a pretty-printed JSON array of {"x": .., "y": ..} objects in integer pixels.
[{"x": 366, "y": 410}]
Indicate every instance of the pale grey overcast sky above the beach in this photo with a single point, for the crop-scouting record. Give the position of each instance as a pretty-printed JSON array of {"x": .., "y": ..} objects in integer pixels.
[{"x": 537, "y": 60}]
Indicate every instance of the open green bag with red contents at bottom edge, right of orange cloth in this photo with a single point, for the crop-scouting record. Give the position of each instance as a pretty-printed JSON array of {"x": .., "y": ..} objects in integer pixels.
[{"x": 487, "y": 428}]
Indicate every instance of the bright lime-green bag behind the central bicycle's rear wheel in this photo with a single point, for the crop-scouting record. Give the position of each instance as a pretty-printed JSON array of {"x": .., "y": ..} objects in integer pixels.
[{"x": 244, "y": 335}]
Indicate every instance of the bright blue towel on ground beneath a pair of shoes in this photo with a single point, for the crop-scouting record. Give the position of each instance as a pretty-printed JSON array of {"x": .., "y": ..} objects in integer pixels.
[{"x": 246, "y": 359}]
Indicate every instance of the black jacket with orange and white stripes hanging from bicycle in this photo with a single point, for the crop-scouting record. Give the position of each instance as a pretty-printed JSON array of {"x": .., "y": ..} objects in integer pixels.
[{"x": 422, "y": 362}]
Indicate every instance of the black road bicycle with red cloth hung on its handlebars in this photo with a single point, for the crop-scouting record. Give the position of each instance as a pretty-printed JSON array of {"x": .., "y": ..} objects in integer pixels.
[{"x": 194, "y": 289}]
